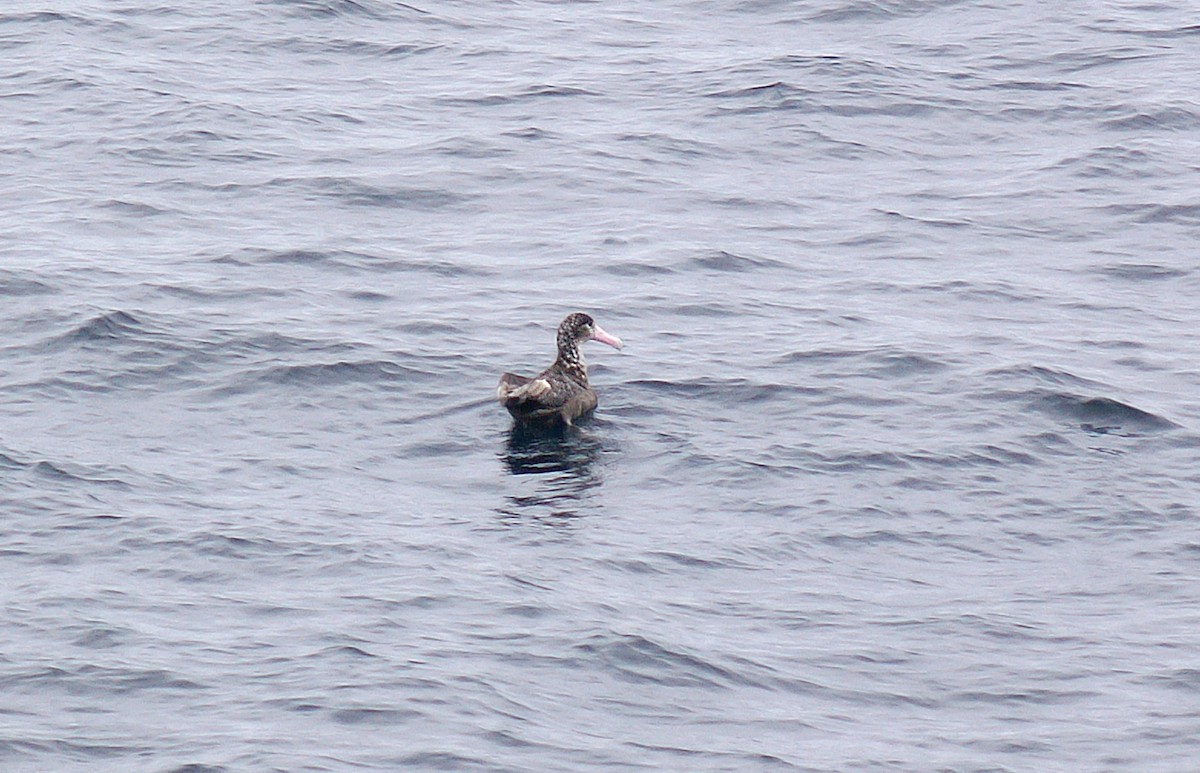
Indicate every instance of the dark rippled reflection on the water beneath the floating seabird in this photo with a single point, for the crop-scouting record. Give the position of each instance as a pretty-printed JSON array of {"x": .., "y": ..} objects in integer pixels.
[{"x": 560, "y": 463}]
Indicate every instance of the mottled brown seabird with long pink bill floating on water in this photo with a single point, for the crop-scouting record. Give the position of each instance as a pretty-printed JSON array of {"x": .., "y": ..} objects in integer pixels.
[{"x": 561, "y": 394}]
